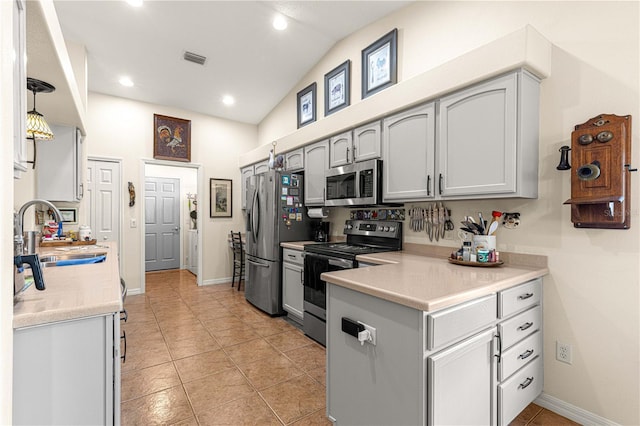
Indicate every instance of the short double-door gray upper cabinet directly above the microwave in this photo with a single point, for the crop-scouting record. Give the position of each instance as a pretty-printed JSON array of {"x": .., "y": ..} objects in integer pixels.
[{"x": 363, "y": 143}]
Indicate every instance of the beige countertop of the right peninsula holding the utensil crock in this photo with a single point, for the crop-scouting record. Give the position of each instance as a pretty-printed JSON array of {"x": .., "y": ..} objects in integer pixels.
[{"x": 428, "y": 282}]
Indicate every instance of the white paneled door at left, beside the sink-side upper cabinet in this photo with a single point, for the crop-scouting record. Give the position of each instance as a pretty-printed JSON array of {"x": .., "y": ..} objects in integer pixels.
[{"x": 103, "y": 198}]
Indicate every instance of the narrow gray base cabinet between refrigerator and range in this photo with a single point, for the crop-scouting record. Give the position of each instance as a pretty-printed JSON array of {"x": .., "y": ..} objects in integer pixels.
[{"x": 292, "y": 279}]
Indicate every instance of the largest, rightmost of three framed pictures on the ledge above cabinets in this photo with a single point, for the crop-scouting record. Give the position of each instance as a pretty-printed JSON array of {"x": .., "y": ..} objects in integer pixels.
[{"x": 379, "y": 64}]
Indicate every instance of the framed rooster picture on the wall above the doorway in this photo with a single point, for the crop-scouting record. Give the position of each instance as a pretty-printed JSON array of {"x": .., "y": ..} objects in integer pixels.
[{"x": 171, "y": 138}]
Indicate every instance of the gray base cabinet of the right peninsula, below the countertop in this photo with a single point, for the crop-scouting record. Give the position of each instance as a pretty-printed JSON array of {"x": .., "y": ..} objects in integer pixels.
[{"x": 479, "y": 362}]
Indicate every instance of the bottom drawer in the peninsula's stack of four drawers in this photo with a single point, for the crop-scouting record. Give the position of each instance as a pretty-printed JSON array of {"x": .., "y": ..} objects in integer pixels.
[{"x": 519, "y": 391}]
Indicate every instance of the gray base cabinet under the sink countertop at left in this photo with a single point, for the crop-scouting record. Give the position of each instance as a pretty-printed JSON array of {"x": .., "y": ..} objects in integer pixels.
[{"x": 68, "y": 372}]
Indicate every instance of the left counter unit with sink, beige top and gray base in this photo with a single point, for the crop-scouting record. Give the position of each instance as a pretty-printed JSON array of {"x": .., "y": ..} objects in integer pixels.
[{"x": 67, "y": 343}]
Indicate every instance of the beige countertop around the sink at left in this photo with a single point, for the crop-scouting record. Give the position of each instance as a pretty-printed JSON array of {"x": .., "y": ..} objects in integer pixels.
[{"x": 72, "y": 291}]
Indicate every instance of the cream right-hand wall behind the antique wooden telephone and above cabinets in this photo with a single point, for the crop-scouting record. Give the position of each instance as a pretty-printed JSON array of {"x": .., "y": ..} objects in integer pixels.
[{"x": 592, "y": 298}]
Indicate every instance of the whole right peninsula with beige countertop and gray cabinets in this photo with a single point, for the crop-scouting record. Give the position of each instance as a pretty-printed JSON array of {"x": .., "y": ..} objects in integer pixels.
[{"x": 430, "y": 334}]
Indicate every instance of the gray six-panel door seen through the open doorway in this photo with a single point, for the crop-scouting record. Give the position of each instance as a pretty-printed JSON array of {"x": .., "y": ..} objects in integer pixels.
[{"x": 162, "y": 223}]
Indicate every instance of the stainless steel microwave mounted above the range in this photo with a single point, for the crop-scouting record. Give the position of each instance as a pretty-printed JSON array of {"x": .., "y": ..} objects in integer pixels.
[{"x": 355, "y": 184}]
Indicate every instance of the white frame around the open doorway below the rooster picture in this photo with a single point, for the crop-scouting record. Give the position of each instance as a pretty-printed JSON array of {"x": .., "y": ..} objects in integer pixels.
[{"x": 199, "y": 210}]
